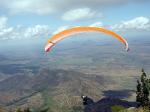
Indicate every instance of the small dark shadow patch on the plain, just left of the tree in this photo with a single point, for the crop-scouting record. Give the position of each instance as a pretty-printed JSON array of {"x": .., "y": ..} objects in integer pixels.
[{"x": 120, "y": 94}]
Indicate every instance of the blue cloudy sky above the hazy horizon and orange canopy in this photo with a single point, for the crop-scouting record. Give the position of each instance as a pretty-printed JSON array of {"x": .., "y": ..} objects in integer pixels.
[{"x": 29, "y": 19}]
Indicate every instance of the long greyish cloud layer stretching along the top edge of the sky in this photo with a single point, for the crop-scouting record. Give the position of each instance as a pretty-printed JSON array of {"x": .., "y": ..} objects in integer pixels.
[{"x": 47, "y": 7}]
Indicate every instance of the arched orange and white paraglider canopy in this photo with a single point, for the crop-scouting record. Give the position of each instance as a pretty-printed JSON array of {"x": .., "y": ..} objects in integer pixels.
[{"x": 66, "y": 33}]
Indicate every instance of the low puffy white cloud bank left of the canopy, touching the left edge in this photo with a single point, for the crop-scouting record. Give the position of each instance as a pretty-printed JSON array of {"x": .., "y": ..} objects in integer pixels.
[{"x": 20, "y": 32}]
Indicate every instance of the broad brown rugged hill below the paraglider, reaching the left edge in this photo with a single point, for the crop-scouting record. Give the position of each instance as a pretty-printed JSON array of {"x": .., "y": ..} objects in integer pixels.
[{"x": 58, "y": 87}]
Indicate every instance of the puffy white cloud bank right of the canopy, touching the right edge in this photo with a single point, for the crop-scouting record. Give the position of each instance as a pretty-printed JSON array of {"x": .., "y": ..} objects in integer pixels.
[{"x": 138, "y": 23}]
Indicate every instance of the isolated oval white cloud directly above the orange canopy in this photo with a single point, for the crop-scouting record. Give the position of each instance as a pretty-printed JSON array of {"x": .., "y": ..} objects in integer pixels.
[{"x": 77, "y": 14}]
